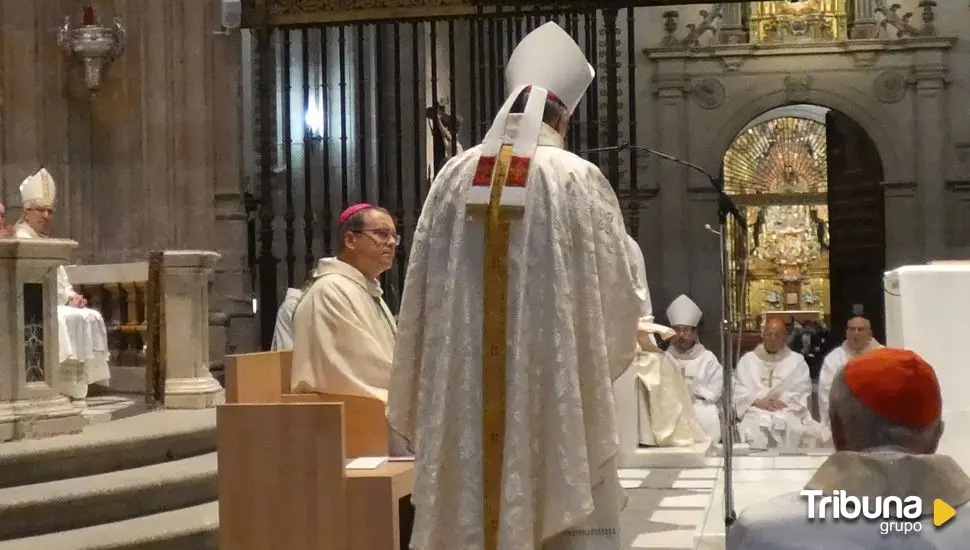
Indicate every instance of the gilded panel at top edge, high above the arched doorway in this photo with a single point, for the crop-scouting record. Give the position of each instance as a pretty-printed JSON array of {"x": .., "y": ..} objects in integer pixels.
[{"x": 806, "y": 21}]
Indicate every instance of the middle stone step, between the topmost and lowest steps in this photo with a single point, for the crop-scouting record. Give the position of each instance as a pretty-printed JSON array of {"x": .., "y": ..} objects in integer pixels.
[{"x": 74, "y": 503}]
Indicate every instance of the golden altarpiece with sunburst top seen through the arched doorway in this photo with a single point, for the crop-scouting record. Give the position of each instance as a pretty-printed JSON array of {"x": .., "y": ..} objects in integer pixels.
[{"x": 776, "y": 172}]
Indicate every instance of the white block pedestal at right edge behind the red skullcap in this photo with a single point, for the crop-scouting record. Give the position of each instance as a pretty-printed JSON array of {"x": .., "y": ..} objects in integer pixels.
[{"x": 928, "y": 311}]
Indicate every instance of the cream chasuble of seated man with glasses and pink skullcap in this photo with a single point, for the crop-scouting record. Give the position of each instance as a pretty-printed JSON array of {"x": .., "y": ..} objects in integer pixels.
[{"x": 343, "y": 335}]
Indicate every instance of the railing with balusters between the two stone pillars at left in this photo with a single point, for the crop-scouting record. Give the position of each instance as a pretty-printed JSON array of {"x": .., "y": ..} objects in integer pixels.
[{"x": 120, "y": 293}]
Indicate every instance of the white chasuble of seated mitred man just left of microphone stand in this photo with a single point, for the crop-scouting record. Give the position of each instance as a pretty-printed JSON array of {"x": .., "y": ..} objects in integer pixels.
[{"x": 705, "y": 382}]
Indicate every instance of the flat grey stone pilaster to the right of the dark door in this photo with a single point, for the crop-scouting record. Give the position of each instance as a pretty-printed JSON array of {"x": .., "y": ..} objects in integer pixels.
[{"x": 930, "y": 165}]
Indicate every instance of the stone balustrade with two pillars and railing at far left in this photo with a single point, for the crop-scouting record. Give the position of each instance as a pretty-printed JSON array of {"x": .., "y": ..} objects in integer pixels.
[{"x": 156, "y": 313}]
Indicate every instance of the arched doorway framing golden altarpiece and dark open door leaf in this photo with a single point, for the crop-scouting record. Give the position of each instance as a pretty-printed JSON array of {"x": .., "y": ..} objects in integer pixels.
[{"x": 809, "y": 180}]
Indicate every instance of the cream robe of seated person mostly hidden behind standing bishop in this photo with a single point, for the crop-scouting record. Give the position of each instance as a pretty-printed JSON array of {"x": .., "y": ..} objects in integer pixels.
[{"x": 666, "y": 414}]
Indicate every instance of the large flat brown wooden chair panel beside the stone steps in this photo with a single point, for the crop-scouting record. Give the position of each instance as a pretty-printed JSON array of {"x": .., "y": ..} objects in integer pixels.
[{"x": 282, "y": 482}]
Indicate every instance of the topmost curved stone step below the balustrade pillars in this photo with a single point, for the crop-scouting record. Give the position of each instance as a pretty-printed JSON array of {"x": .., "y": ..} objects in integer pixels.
[{"x": 151, "y": 438}]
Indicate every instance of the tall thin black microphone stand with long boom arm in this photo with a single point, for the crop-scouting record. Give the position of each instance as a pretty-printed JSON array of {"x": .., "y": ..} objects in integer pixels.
[{"x": 726, "y": 208}]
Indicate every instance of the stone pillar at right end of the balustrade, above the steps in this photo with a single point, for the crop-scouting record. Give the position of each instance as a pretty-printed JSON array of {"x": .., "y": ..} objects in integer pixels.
[{"x": 184, "y": 283}]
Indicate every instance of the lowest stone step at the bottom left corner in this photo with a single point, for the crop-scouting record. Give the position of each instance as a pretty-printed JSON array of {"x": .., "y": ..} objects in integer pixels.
[{"x": 192, "y": 528}]
